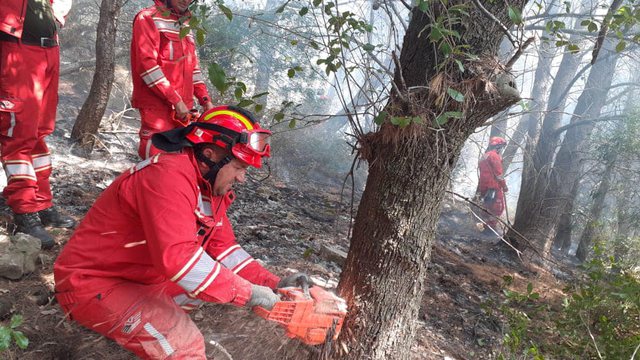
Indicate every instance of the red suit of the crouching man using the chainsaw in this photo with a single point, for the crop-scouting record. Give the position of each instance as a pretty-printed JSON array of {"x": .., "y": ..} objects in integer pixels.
[{"x": 154, "y": 243}]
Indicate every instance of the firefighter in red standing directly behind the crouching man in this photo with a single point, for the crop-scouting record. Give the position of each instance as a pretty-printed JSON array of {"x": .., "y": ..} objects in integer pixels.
[{"x": 165, "y": 69}]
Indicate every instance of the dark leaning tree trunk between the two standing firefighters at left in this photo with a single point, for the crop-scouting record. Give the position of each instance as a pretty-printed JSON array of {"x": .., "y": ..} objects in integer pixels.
[{"x": 86, "y": 126}]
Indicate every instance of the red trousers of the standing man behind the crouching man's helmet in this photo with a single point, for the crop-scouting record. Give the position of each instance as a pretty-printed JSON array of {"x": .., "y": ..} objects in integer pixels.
[{"x": 153, "y": 120}]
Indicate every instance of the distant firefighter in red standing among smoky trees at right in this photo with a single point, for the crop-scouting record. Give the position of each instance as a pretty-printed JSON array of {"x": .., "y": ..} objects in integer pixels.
[{"x": 492, "y": 186}]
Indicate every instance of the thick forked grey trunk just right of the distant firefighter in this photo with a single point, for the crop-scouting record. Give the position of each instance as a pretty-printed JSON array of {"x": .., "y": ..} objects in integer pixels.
[{"x": 549, "y": 186}]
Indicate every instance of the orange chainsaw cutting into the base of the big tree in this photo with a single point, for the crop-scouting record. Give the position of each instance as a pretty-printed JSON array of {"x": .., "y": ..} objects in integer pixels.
[{"x": 312, "y": 315}]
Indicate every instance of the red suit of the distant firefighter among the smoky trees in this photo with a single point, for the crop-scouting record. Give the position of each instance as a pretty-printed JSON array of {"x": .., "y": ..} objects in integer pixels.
[{"x": 491, "y": 178}]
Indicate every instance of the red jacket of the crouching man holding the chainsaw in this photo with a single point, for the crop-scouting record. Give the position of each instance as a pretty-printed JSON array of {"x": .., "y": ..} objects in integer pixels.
[{"x": 155, "y": 224}]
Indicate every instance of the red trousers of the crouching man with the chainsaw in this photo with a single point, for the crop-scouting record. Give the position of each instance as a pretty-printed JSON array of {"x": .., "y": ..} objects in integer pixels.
[{"x": 143, "y": 319}]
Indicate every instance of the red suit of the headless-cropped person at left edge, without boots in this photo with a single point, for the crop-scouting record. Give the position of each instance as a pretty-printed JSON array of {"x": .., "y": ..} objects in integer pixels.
[{"x": 28, "y": 102}]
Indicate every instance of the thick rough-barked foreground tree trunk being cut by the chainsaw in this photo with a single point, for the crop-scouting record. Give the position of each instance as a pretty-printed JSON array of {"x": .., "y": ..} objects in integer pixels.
[{"x": 384, "y": 275}]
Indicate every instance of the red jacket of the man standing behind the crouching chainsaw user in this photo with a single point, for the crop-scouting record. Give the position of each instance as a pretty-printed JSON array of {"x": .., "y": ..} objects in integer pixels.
[{"x": 164, "y": 67}]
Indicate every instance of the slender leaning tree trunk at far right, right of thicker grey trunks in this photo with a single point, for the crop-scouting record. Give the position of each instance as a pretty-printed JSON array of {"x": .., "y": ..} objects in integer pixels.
[{"x": 586, "y": 240}]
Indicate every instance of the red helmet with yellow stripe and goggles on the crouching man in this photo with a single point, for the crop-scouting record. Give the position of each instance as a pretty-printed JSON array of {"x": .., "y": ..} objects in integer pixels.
[{"x": 232, "y": 128}]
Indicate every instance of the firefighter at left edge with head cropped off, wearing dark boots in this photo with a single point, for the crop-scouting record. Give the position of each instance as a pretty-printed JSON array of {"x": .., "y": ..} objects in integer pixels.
[{"x": 29, "y": 69}]
